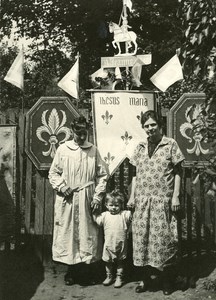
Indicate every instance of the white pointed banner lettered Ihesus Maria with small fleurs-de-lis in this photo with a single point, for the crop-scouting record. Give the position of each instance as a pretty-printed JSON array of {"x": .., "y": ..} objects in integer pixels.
[{"x": 117, "y": 124}]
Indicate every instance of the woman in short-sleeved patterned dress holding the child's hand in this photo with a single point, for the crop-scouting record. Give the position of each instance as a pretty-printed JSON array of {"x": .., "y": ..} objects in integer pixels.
[{"x": 155, "y": 198}]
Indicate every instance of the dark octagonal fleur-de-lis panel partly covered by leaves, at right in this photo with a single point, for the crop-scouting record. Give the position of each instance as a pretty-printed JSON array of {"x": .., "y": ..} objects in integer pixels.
[{"x": 185, "y": 126}]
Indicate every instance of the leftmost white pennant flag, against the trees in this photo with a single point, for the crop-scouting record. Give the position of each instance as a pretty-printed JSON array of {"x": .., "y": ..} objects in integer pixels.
[{"x": 15, "y": 74}]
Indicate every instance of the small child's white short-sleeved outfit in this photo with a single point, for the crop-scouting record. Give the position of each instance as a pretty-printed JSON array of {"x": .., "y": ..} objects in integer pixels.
[{"x": 115, "y": 234}]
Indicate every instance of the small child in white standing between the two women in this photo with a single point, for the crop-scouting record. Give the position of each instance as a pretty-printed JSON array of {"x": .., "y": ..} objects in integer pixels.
[{"x": 115, "y": 223}]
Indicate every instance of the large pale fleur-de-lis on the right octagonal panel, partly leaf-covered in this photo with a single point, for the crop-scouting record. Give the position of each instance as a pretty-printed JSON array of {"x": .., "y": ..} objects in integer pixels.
[{"x": 191, "y": 130}]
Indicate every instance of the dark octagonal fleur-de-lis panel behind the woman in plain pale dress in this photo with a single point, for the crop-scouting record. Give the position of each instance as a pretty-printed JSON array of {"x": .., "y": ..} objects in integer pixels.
[{"x": 48, "y": 126}]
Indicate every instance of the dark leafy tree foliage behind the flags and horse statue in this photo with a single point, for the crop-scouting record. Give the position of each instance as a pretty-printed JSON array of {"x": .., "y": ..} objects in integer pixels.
[{"x": 55, "y": 30}]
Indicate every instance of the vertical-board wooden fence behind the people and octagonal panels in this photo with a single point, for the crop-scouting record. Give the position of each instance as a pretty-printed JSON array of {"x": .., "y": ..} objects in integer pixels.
[{"x": 35, "y": 201}]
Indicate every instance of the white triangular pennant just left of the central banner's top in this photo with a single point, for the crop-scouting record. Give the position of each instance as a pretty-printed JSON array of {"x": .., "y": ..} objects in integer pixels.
[{"x": 70, "y": 82}]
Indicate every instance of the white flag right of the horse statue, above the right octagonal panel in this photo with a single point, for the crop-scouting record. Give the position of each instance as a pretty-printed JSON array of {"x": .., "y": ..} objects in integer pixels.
[{"x": 168, "y": 74}]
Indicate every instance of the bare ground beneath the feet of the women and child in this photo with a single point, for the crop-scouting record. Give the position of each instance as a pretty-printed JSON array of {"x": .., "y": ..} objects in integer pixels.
[{"x": 23, "y": 277}]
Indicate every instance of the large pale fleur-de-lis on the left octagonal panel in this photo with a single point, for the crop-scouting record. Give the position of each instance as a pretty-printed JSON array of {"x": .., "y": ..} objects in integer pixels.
[{"x": 53, "y": 128}]
